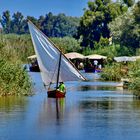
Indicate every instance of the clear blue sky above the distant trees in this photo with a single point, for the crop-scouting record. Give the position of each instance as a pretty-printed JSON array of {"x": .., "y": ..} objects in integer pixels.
[{"x": 37, "y": 8}]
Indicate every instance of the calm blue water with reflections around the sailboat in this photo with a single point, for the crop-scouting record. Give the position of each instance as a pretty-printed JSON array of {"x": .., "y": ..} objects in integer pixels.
[{"x": 91, "y": 110}]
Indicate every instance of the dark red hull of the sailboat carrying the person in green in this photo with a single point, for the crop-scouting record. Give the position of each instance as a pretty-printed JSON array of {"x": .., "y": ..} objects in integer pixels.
[{"x": 55, "y": 94}]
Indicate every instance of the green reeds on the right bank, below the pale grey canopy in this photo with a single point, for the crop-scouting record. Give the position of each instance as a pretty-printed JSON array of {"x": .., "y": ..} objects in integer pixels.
[{"x": 117, "y": 71}]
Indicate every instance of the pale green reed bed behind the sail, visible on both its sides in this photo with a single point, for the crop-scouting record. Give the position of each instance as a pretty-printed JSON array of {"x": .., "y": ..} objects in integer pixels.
[{"x": 22, "y": 46}]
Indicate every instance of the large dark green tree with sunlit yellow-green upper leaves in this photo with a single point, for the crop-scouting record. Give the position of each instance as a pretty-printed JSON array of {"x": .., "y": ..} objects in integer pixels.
[{"x": 94, "y": 23}]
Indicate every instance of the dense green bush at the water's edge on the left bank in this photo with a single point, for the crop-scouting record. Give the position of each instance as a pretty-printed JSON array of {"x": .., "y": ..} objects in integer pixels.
[{"x": 14, "y": 79}]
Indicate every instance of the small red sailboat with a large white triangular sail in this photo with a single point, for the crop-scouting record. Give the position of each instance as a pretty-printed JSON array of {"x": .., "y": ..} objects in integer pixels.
[{"x": 54, "y": 66}]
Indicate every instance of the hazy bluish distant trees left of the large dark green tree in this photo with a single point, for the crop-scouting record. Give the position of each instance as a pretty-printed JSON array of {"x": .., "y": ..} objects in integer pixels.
[{"x": 52, "y": 25}]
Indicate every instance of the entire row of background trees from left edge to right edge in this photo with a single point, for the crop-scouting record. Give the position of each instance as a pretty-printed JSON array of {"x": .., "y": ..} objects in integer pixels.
[{"x": 103, "y": 23}]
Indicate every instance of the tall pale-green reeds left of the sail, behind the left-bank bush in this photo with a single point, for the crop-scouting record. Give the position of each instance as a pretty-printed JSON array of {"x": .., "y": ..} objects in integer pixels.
[{"x": 19, "y": 44}]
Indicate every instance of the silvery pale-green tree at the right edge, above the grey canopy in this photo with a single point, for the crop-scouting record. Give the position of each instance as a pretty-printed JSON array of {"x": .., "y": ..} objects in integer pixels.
[{"x": 126, "y": 28}]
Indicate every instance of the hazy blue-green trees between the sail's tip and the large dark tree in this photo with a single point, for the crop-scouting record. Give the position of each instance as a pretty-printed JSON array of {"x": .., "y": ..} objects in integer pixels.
[{"x": 59, "y": 26}]
